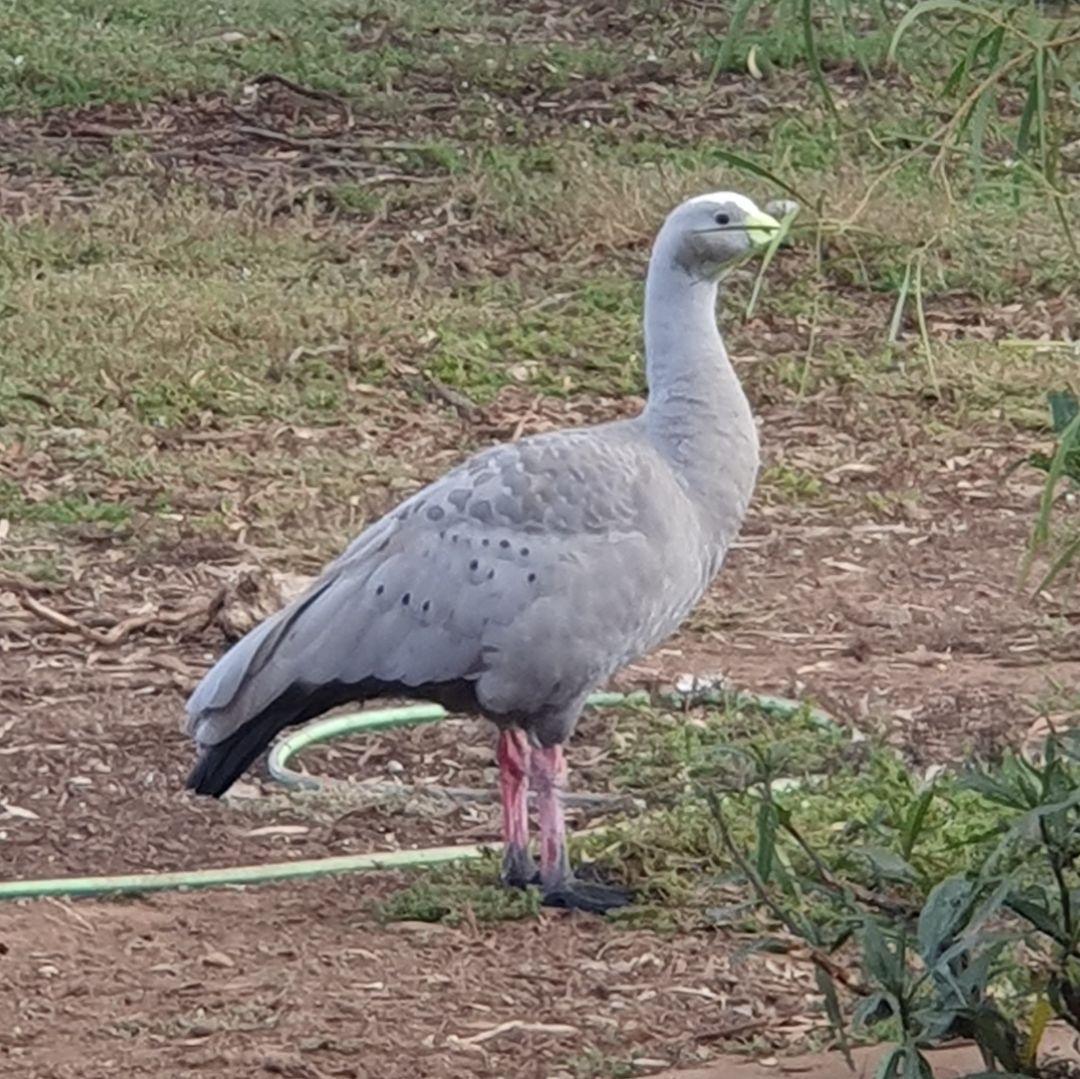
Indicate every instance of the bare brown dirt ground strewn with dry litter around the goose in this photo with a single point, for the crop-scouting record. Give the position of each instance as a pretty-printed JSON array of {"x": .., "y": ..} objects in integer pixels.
[{"x": 898, "y": 613}]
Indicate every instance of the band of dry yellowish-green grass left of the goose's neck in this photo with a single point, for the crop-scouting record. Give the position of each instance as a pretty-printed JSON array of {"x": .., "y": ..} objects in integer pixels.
[{"x": 200, "y": 315}]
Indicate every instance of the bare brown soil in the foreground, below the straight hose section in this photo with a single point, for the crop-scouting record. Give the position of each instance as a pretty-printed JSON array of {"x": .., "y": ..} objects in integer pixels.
[{"x": 298, "y": 982}]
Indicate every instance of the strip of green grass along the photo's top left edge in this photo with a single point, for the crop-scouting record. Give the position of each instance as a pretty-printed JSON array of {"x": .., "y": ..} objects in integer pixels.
[{"x": 64, "y": 52}]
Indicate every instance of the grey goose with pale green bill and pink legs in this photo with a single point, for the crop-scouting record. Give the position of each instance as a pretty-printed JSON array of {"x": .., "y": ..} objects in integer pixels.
[{"x": 528, "y": 576}]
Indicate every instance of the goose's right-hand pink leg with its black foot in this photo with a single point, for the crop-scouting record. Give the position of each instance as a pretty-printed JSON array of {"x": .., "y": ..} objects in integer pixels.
[{"x": 558, "y": 883}]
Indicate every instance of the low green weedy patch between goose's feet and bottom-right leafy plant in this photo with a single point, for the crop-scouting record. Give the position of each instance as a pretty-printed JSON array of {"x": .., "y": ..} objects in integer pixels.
[{"x": 848, "y": 800}]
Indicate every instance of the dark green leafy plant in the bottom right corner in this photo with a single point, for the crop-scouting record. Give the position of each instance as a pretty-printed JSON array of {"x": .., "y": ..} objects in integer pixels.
[{"x": 992, "y": 955}]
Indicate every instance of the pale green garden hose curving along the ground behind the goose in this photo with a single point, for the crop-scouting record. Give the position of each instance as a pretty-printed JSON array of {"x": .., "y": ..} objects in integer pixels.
[{"x": 370, "y": 723}]
